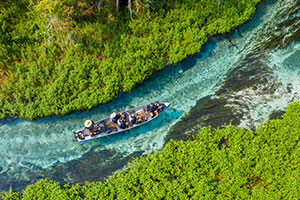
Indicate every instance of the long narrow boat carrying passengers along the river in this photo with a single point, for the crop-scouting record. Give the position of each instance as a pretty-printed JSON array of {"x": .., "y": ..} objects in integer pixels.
[{"x": 111, "y": 125}]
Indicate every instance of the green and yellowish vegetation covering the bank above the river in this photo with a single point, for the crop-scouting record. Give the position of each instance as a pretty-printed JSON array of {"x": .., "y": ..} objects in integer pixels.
[{"x": 60, "y": 56}]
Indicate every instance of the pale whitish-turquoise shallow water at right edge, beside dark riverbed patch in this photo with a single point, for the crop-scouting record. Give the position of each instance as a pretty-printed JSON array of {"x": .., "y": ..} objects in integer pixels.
[{"x": 258, "y": 104}]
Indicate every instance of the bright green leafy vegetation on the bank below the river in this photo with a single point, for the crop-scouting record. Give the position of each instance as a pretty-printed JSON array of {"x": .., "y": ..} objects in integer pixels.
[{"x": 230, "y": 163}]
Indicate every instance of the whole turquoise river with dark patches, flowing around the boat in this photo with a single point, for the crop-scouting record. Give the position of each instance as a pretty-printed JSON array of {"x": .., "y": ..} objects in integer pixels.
[{"x": 245, "y": 77}]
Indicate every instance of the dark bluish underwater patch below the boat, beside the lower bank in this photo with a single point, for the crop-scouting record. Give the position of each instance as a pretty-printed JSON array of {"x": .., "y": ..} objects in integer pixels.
[{"x": 93, "y": 166}]
